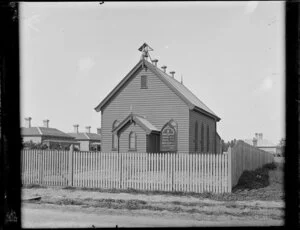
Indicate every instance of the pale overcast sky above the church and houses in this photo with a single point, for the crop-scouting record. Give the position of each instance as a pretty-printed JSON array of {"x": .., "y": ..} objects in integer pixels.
[{"x": 230, "y": 54}]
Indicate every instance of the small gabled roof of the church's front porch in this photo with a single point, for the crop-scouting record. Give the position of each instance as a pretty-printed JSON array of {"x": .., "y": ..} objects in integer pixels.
[{"x": 142, "y": 122}]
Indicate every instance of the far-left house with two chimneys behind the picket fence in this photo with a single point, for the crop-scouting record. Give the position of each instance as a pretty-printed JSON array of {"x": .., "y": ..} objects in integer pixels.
[{"x": 51, "y": 137}]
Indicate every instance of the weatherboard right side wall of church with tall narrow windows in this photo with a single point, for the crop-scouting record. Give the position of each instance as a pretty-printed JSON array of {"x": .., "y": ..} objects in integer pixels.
[{"x": 205, "y": 120}]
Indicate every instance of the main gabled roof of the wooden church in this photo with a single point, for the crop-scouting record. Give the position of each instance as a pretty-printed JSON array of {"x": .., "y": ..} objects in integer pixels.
[{"x": 183, "y": 92}]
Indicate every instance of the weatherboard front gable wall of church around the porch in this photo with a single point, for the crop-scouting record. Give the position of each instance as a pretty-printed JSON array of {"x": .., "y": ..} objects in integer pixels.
[{"x": 158, "y": 103}]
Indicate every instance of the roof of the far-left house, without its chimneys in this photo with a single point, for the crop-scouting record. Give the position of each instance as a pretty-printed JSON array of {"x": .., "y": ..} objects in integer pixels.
[{"x": 43, "y": 131}]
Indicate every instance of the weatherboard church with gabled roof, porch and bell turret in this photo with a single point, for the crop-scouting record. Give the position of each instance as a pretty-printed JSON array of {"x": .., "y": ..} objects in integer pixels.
[{"x": 151, "y": 111}]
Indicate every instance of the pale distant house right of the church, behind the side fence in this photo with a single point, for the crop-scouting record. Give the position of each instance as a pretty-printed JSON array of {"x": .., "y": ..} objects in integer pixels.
[{"x": 264, "y": 144}]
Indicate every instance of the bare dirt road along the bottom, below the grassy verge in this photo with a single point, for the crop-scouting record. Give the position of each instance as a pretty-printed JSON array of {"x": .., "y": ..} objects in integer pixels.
[{"x": 56, "y": 216}]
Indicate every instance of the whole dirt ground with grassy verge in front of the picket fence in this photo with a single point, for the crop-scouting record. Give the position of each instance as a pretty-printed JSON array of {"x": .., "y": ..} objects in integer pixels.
[{"x": 75, "y": 208}]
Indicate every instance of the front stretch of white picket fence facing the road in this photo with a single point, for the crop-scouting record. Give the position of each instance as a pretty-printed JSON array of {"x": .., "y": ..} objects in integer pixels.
[{"x": 141, "y": 171}]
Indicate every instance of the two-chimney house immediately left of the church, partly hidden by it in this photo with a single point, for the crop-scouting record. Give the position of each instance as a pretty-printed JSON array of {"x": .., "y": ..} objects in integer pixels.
[{"x": 87, "y": 141}]
